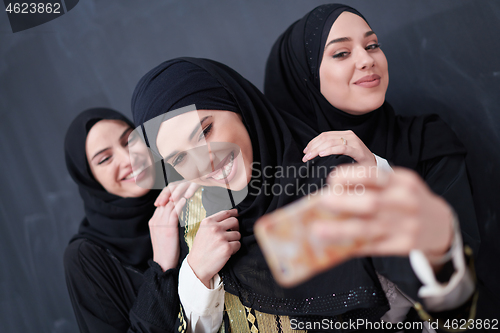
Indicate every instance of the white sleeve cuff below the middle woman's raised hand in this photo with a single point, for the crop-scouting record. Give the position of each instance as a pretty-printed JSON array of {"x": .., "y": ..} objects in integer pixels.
[{"x": 196, "y": 299}]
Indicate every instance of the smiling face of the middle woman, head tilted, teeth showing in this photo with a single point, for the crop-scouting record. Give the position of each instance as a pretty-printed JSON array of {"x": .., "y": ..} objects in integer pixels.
[{"x": 208, "y": 147}]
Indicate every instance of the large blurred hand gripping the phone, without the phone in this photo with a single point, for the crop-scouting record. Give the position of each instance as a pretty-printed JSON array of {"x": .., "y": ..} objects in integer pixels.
[{"x": 388, "y": 214}]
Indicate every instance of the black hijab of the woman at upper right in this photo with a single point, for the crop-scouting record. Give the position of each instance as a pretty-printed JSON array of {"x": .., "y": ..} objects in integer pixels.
[{"x": 292, "y": 84}]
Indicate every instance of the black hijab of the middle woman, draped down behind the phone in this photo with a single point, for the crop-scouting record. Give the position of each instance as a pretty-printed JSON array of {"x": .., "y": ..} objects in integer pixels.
[{"x": 351, "y": 289}]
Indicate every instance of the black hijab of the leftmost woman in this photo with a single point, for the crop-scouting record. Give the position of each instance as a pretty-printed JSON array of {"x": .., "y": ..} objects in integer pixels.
[{"x": 115, "y": 223}]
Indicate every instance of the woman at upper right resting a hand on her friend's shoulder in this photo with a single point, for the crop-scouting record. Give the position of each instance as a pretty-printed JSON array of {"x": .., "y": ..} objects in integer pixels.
[{"x": 350, "y": 111}]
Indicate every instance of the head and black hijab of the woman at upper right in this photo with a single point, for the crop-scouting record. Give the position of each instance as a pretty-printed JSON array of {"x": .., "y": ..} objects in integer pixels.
[{"x": 300, "y": 81}]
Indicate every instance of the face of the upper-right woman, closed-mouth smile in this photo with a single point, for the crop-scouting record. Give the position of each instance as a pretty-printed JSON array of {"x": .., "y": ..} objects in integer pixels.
[{"x": 353, "y": 74}]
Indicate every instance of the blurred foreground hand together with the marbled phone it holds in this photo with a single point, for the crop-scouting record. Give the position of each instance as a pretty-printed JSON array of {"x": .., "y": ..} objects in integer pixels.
[{"x": 358, "y": 214}]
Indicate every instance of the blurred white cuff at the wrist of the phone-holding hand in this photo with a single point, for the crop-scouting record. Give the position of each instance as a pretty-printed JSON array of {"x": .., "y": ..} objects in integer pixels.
[{"x": 444, "y": 296}]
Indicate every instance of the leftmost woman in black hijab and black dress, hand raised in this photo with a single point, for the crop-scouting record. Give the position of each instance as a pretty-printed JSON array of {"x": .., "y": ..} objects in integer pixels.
[{"x": 113, "y": 284}]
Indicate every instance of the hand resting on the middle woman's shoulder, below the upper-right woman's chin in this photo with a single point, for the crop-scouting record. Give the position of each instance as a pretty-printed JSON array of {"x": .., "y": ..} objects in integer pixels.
[{"x": 339, "y": 143}]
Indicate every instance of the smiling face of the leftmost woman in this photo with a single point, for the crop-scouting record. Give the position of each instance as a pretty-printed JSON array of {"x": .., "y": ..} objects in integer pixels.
[{"x": 107, "y": 149}]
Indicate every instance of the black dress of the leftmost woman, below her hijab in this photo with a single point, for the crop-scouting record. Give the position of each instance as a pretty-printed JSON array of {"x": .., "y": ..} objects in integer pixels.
[{"x": 108, "y": 296}]
